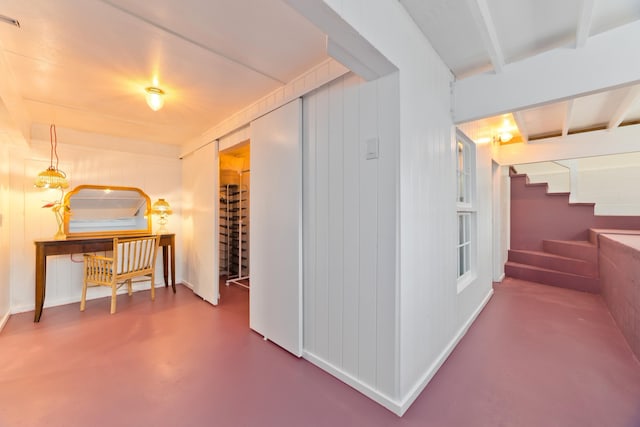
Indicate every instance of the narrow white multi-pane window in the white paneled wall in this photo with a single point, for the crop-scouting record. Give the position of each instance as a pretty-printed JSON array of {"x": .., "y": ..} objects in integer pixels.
[{"x": 466, "y": 210}]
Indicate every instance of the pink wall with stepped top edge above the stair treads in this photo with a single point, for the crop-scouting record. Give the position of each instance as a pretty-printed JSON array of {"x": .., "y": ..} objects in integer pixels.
[{"x": 537, "y": 216}]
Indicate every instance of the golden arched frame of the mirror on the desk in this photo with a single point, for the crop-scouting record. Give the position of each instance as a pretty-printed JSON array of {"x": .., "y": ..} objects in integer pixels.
[{"x": 68, "y": 213}]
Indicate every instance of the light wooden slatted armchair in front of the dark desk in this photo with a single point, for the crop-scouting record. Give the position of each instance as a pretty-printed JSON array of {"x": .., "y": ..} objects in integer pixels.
[{"x": 132, "y": 258}]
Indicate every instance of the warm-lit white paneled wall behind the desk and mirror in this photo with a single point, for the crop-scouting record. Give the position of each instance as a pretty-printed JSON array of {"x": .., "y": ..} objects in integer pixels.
[{"x": 155, "y": 175}]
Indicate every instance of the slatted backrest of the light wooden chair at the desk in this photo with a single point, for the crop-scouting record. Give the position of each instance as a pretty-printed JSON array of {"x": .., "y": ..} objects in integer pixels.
[{"x": 137, "y": 254}]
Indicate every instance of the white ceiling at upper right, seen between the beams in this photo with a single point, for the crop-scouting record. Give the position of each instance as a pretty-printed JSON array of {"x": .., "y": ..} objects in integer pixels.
[{"x": 486, "y": 36}]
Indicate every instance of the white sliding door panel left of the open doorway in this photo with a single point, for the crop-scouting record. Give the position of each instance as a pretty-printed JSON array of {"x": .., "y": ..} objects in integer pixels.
[{"x": 200, "y": 179}]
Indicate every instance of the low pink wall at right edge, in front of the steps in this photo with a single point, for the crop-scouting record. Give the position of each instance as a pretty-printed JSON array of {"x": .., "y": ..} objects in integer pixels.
[{"x": 620, "y": 283}]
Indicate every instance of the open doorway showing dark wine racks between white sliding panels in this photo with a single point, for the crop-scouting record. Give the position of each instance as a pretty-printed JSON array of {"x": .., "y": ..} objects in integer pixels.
[{"x": 234, "y": 210}]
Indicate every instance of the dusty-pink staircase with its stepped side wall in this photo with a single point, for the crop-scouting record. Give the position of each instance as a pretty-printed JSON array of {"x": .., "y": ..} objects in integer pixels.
[{"x": 553, "y": 241}]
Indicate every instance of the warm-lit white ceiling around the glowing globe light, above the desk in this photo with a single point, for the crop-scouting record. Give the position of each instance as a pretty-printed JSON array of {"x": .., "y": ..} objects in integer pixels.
[{"x": 85, "y": 64}]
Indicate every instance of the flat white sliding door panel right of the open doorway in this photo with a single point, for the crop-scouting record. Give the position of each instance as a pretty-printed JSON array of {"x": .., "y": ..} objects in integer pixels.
[{"x": 276, "y": 227}]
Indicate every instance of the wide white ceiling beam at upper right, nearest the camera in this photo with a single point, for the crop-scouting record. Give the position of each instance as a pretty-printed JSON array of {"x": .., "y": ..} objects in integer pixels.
[{"x": 553, "y": 76}]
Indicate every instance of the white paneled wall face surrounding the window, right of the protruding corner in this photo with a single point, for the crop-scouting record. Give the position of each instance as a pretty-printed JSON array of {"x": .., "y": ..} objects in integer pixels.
[{"x": 432, "y": 315}]
